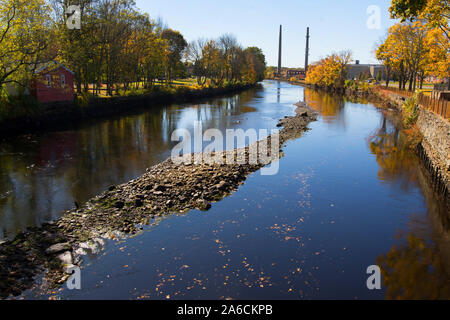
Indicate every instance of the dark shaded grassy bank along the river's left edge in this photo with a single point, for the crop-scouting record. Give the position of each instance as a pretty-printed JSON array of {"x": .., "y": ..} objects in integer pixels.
[{"x": 61, "y": 115}]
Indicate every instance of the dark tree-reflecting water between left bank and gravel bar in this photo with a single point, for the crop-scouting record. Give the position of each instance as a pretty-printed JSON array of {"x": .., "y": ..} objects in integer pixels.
[{"x": 42, "y": 175}]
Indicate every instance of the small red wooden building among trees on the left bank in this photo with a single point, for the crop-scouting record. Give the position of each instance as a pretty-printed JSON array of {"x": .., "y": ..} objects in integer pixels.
[{"x": 52, "y": 82}]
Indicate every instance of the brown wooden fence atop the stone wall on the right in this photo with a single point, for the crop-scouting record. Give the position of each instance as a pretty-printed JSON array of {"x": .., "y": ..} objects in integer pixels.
[{"x": 432, "y": 103}]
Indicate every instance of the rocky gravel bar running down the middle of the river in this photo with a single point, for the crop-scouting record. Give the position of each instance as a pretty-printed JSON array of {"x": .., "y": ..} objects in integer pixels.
[{"x": 165, "y": 188}]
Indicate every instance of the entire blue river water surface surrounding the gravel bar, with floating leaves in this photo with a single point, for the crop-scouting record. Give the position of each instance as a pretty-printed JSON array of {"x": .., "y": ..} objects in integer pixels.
[{"x": 349, "y": 194}]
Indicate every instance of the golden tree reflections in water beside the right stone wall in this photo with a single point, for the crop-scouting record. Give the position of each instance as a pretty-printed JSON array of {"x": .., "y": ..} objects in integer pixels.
[{"x": 416, "y": 268}]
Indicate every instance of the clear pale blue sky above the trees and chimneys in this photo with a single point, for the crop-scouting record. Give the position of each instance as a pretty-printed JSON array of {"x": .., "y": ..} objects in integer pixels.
[{"x": 335, "y": 25}]
